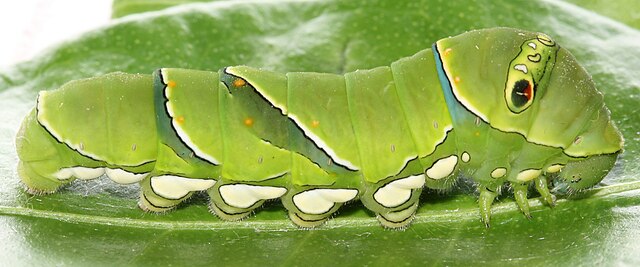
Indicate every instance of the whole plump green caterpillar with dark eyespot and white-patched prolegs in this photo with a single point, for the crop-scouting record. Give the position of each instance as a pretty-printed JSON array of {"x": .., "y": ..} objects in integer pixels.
[{"x": 503, "y": 107}]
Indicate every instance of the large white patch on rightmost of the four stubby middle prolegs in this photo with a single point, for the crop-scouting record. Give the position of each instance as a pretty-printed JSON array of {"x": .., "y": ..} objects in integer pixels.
[{"x": 399, "y": 191}]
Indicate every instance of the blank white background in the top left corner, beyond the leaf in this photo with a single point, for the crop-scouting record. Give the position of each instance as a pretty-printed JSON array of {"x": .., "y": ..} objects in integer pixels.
[{"x": 27, "y": 27}]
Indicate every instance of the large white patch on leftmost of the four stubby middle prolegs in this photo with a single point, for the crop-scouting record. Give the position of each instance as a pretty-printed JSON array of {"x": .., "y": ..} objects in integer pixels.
[{"x": 175, "y": 187}]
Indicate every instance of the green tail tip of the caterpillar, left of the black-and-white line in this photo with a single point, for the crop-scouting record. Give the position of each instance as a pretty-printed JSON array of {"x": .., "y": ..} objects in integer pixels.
[{"x": 39, "y": 162}]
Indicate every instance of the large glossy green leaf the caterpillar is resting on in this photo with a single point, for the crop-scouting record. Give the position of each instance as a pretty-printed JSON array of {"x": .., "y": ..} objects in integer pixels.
[{"x": 97, "y": 222}]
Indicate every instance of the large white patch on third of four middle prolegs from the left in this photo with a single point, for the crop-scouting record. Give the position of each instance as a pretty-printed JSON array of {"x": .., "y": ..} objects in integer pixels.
[{"x": 319, "y": 201}]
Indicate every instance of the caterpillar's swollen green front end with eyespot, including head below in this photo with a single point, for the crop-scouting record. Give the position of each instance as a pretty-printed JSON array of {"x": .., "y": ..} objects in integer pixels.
[{"x": 524, "y": 82}]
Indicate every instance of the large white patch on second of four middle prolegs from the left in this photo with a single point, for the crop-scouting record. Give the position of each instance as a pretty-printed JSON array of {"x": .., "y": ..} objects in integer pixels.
[{"x": 244, "y": 195}]
